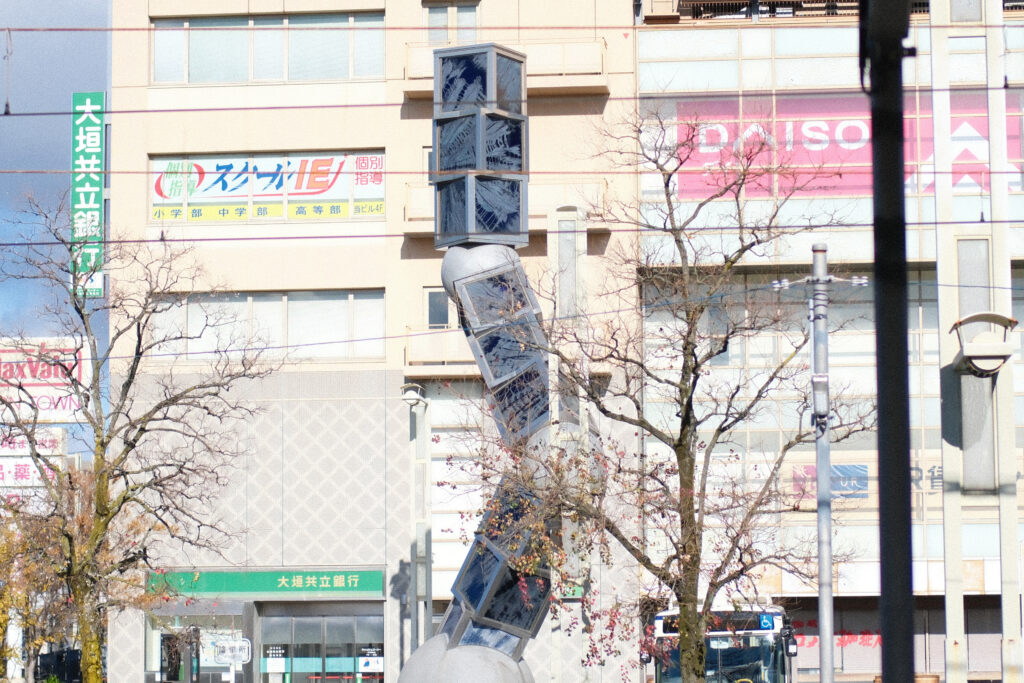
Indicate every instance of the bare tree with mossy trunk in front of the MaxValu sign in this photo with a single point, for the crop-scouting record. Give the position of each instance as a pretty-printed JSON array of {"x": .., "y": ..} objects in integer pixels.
[{"x": 154, "y": 424}]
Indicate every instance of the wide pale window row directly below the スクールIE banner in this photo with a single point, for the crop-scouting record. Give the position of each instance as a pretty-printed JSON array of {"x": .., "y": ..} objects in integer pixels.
[{"x": 323, "y": 324}]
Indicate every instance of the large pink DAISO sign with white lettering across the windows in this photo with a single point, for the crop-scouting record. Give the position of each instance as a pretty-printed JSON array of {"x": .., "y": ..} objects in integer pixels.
[{"x": 822, "y": 145}]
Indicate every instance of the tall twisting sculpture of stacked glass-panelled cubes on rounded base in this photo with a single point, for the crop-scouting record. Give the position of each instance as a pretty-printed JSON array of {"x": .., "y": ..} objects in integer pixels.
[{"x": 479, "y": 168}]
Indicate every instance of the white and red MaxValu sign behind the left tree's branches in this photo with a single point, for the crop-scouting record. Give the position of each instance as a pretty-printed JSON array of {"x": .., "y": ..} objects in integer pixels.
[{"x": 44, "y": 379}]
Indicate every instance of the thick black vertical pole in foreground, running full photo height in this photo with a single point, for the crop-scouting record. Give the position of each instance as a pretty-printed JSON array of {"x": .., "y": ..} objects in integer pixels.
[{"x": 886, "y": 55}]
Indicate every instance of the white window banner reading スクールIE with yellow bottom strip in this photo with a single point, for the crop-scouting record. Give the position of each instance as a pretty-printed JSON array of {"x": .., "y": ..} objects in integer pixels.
[{"x": 318, "y": 186}]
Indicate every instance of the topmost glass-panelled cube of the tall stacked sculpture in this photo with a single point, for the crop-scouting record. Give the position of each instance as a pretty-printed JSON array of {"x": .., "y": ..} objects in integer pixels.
[{"x": 473, "y": 77}]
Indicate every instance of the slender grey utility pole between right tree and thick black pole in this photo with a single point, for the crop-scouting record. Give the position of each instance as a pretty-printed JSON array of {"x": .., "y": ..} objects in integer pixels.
[{"x": 820, "y": 395}]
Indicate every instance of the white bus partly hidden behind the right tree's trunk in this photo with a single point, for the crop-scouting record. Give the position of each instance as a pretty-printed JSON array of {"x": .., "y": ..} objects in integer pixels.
[{"x": 753, "y": 645}]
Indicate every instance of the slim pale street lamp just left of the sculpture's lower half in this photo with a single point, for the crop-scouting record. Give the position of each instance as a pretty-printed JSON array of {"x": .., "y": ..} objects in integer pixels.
[{"x": 420, "y": 584}]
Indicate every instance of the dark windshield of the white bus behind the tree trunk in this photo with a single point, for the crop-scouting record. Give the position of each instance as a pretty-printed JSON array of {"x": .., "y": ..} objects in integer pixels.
[{"x": 734, "y": 660}]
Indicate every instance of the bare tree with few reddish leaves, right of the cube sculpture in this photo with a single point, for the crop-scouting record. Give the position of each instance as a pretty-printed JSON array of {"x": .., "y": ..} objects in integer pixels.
[{"x": 692, "y": 347}]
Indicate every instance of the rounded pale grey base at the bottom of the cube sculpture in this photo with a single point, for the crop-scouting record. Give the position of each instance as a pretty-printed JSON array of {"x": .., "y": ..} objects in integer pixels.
[{"x": 435, "y": 663}]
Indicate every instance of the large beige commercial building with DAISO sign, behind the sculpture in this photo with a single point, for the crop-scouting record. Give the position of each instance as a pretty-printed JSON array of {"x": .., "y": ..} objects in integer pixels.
[{"x": 288, "y": 142}]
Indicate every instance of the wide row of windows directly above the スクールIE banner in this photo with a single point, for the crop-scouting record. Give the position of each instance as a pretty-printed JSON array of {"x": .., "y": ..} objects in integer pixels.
[{"x": 239, "y": 50}]
